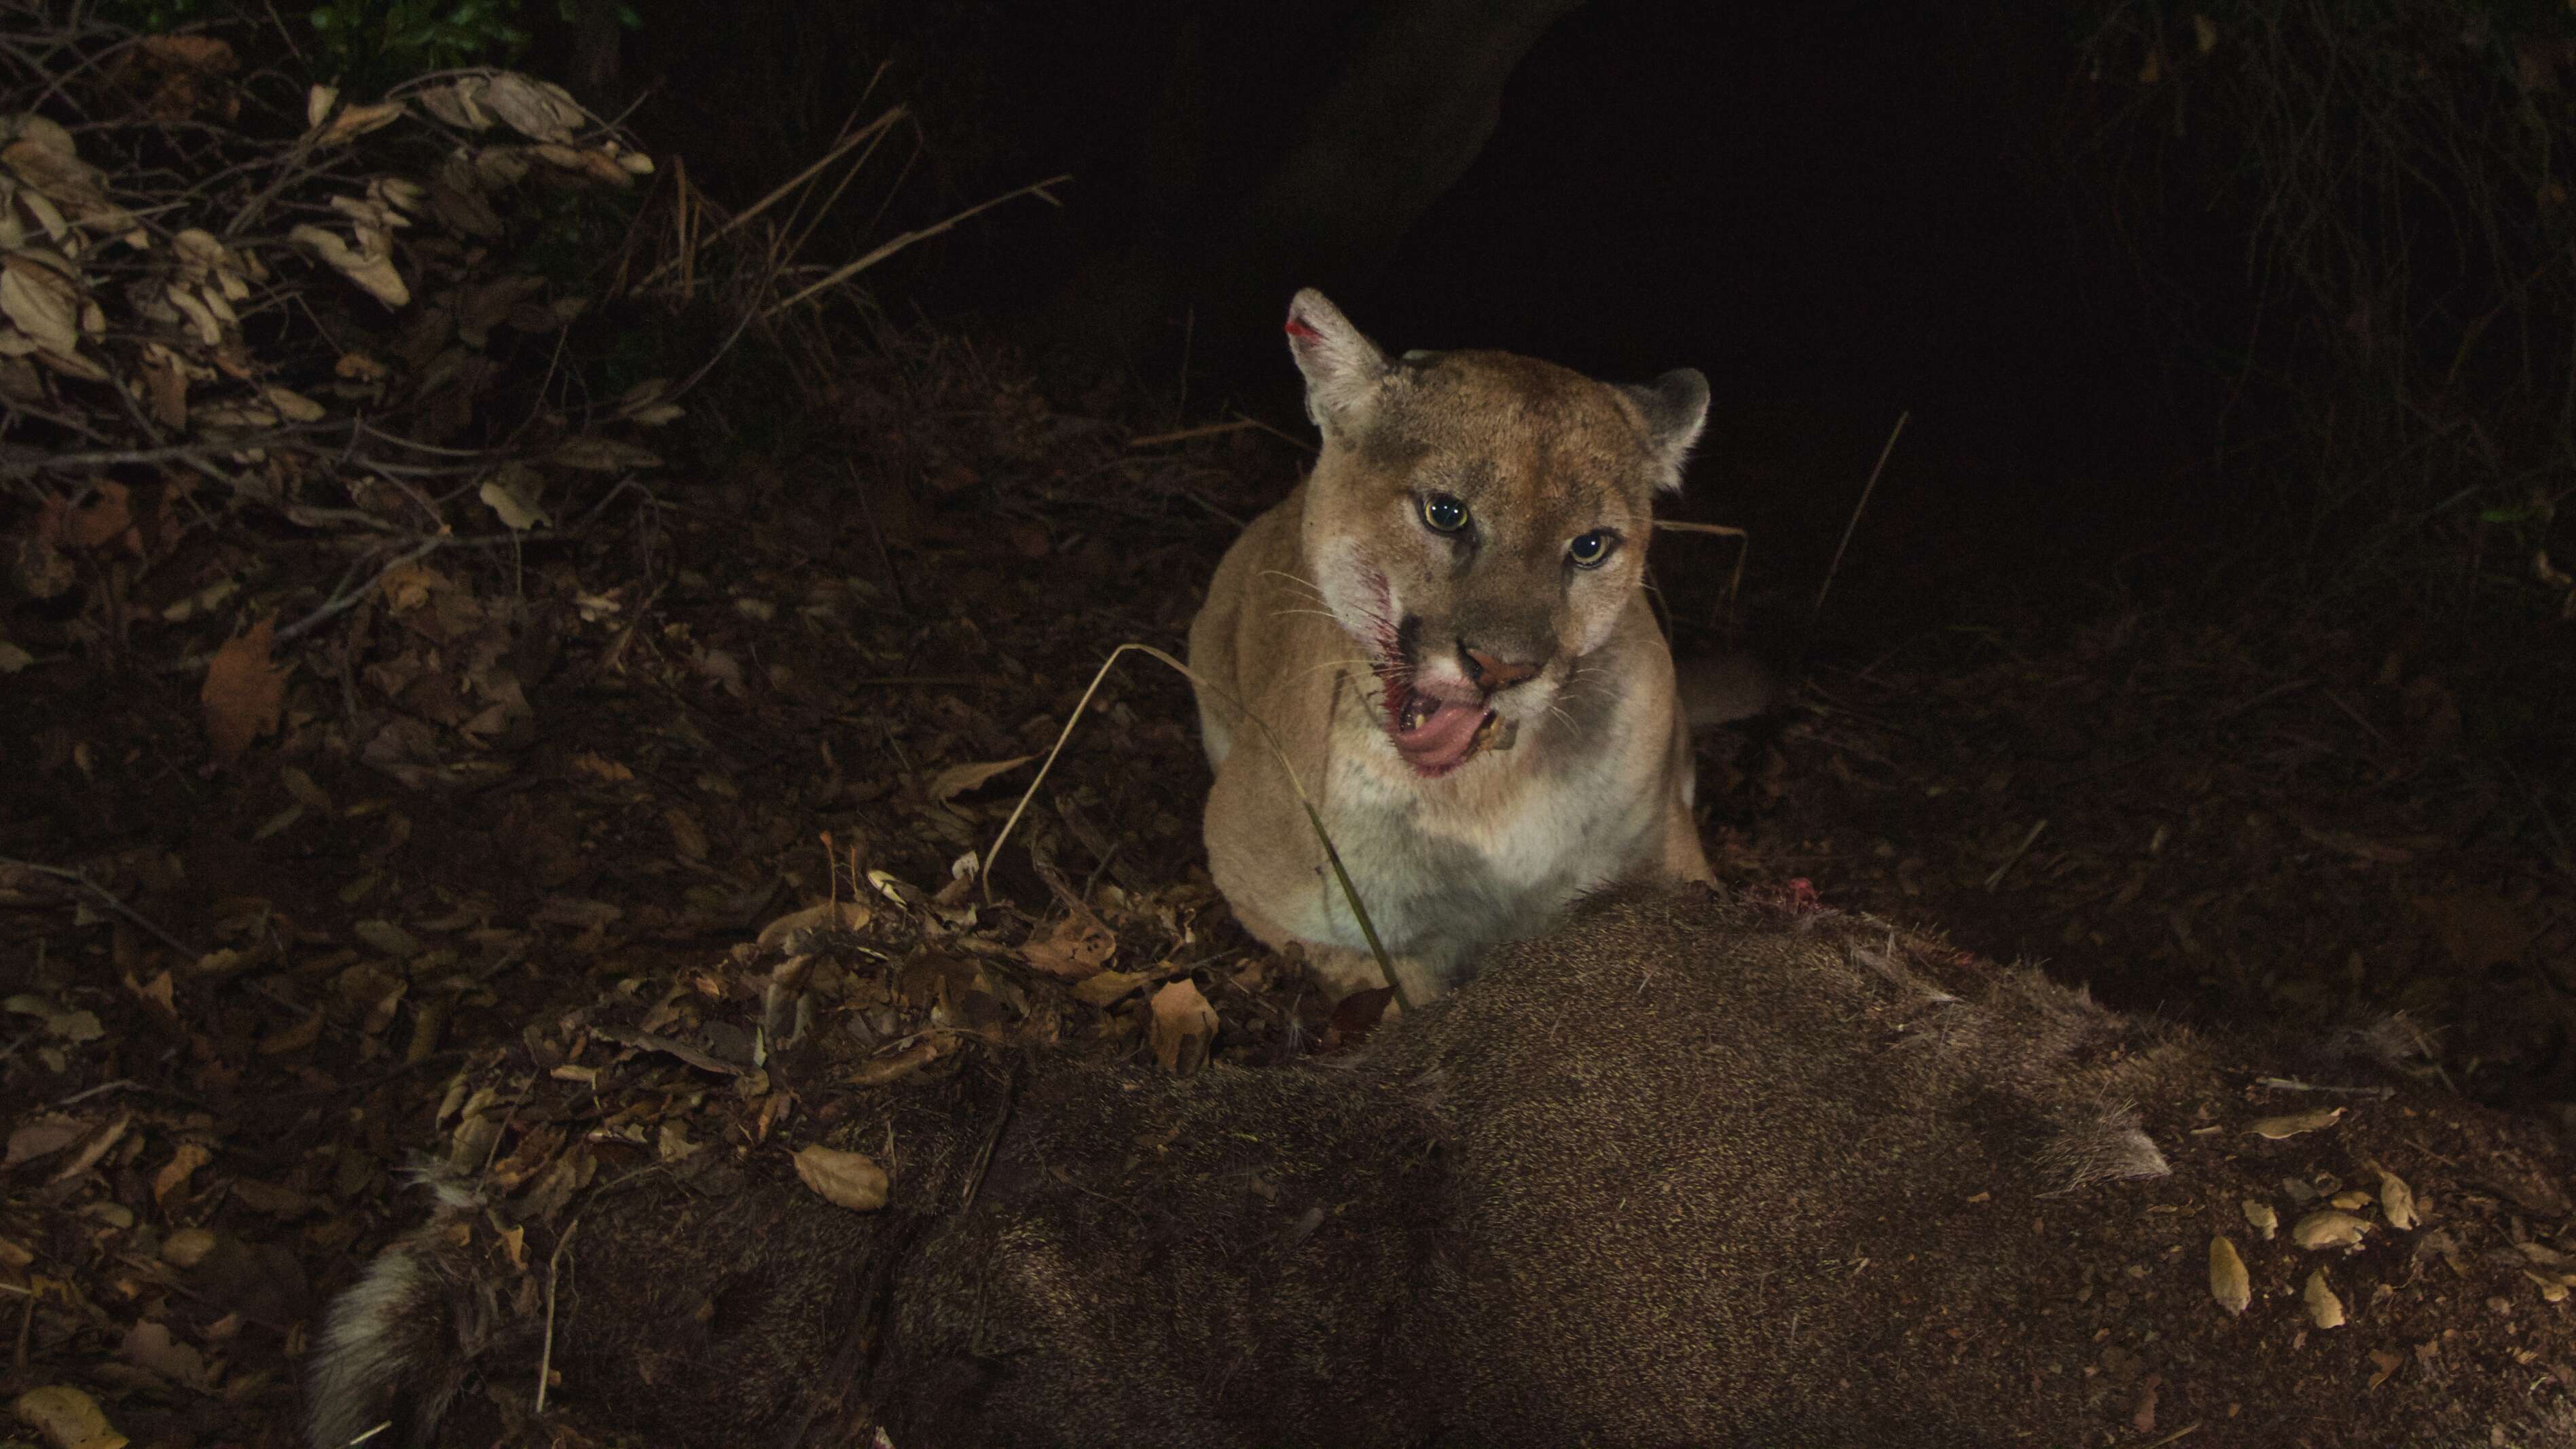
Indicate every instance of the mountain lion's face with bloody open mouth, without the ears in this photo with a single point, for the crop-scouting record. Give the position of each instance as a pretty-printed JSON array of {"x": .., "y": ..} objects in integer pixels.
[{"x": 1480, "y": 537}]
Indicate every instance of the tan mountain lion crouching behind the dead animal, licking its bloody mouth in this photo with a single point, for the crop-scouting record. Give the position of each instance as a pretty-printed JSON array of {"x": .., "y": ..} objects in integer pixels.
[{"x": 1446, "y": 632}]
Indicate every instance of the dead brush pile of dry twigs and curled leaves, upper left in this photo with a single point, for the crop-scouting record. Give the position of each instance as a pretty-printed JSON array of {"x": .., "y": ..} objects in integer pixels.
[{"x": 321, "y": 398}]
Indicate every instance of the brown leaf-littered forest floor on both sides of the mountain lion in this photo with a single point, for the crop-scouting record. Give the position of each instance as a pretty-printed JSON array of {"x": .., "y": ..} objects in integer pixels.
[{"x": 241, "y": 1000}]
